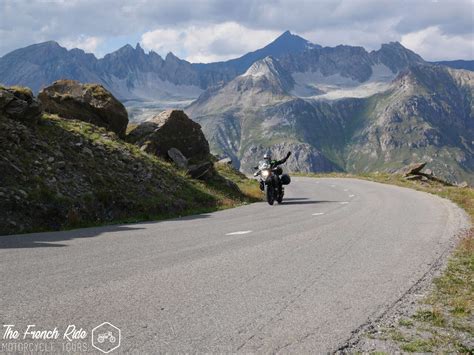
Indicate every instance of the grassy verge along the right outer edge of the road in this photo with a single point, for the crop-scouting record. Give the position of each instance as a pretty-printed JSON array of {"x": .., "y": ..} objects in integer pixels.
[{"x": 444, "y": 319}]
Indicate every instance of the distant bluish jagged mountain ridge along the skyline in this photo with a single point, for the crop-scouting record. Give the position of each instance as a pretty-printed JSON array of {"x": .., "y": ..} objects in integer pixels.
[{"x": 128, "y": 68}]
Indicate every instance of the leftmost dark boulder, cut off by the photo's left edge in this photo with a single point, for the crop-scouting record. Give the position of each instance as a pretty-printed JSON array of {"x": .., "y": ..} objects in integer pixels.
[{"x": 18, "y": 103}]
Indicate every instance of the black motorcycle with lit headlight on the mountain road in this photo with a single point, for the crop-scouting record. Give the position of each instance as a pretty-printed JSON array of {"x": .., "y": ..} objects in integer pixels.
[{"x": 270, "y": 181}]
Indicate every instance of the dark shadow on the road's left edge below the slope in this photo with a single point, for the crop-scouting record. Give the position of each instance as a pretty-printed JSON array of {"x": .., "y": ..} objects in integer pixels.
[{"x": 38, "y": 240}]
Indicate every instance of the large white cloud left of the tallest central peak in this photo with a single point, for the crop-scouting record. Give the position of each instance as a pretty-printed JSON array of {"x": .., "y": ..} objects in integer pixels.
[{"x": 207, "y": 43}]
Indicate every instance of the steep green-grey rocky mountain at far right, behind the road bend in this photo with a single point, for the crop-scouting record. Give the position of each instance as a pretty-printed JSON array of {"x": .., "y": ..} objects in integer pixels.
[{"x": 426, "y": 115}]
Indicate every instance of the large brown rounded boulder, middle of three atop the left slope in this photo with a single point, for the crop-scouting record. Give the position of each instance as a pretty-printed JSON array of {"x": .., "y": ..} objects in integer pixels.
[{"x": 86, "y": 102}]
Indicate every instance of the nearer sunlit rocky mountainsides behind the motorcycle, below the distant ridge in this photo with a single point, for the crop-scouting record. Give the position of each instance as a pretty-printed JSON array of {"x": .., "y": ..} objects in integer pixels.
[{"x": 425, "y": 113}]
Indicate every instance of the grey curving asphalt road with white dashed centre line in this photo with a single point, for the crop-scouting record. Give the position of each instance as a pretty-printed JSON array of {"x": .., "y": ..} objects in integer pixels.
[{"x": 299, "y": 277}]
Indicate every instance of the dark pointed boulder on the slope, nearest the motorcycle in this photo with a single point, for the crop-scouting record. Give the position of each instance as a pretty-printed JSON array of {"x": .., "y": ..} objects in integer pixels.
[{"x": 171, "y": 129}]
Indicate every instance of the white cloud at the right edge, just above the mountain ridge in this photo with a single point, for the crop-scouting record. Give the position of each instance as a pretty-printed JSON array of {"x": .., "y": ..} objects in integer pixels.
[{"x": 432, "y": 44}]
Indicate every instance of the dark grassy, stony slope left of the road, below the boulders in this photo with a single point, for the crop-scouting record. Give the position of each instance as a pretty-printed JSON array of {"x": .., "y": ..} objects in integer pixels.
[{"x": 67, "y": 174}]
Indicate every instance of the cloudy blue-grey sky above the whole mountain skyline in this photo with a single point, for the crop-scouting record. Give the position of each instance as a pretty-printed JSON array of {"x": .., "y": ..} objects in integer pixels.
[{"x": 211, "y": 30}]
